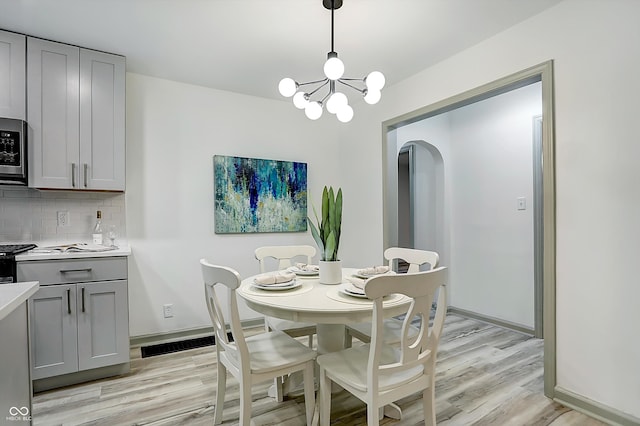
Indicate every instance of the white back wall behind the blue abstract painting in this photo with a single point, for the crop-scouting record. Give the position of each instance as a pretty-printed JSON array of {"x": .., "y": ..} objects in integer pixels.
[{"x": 173, "y": 132}]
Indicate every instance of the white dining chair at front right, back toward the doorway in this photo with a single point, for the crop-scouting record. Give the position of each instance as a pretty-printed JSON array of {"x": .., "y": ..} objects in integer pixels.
[{"x": 378, "y": 373}]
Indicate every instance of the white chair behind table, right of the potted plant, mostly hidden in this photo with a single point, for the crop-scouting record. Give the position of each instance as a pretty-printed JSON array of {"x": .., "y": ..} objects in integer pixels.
[{"x": 416, "y": 259}]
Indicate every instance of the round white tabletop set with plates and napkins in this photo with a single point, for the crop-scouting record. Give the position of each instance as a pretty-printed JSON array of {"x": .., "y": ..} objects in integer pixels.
[{"x": 317, "y": 303}]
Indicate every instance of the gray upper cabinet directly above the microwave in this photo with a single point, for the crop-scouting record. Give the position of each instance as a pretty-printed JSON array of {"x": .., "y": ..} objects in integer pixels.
[{"x": 12, "y": 75}]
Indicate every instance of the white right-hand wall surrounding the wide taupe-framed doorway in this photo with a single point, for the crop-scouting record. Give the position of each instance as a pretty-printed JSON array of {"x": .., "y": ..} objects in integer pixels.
[{"x": 595, "y": 46}]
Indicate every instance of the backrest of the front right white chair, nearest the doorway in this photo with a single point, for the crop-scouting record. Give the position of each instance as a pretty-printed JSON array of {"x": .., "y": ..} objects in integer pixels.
[{"x": 415, "y": 350}]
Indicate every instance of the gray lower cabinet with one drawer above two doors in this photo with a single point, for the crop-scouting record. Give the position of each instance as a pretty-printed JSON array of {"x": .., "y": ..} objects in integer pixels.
[{"x": 79, "y": 318}]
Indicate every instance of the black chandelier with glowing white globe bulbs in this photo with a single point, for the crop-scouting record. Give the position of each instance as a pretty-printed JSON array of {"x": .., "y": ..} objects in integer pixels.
[{"x": 312, "y": 99}]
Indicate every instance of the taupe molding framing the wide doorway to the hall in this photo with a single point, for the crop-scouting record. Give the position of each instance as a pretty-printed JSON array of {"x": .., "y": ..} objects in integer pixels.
[{"x": 539, "y": 73}]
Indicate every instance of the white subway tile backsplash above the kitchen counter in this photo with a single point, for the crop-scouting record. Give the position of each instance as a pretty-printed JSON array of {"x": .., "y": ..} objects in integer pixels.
[{"x": 28, "y": 215}]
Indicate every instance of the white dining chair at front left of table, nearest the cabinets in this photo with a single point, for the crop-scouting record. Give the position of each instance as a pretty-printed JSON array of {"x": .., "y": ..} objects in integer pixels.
[{"x": 253, "y": 359}]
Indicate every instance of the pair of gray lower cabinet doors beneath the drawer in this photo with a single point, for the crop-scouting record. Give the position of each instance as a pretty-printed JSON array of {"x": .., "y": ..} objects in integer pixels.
[{"x": 79, "y": 327}]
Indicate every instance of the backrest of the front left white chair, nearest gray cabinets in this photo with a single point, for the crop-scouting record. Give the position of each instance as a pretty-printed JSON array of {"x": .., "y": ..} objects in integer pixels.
[{"x": 214, "y": 276}]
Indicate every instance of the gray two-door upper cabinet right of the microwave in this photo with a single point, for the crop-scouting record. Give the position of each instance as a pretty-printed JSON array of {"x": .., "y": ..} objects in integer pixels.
[{"x": 76, "y": 112}]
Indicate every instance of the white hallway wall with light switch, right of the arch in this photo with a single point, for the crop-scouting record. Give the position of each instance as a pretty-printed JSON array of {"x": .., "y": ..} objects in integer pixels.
[{"x": 492, "y": 241}]
